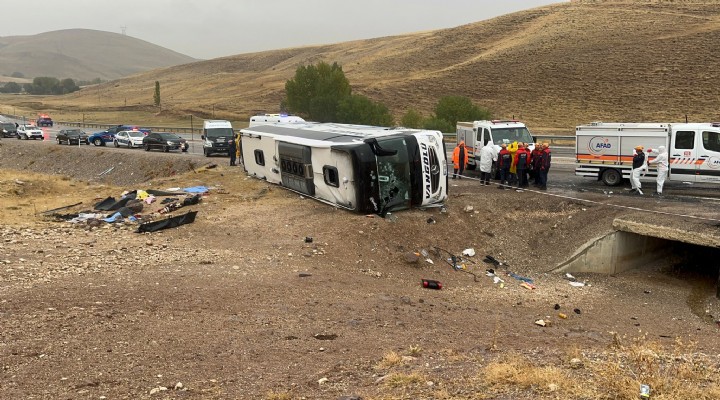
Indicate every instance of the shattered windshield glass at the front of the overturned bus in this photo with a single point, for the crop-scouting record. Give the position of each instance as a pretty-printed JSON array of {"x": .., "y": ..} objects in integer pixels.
[{"x": 394, "y": 182}]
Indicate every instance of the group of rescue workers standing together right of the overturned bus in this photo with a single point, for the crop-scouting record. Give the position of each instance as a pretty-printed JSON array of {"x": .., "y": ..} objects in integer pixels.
[{"x": 515, "y": 163}]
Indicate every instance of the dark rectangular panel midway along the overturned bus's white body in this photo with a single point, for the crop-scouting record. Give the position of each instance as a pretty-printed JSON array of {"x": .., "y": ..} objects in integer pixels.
[{"x": 296, "y": 167}]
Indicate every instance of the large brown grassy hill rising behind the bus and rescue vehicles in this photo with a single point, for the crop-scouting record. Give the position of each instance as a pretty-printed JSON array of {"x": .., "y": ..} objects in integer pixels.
[{"x": 553, "y": 66}]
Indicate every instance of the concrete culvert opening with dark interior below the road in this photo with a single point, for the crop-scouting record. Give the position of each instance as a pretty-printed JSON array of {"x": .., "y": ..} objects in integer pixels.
[{"x": 620, "y": 251}]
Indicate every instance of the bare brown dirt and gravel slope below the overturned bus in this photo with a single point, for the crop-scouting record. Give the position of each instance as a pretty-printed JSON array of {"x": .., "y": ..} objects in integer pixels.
[{"x": 240, "y": 305}]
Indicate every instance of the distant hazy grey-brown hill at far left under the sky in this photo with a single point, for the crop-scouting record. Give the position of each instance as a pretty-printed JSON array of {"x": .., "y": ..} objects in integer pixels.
[{"x": 83, "y": 54}]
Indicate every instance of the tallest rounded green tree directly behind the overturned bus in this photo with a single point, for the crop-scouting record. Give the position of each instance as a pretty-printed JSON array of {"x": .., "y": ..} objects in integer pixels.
[{"x": 316, "y": 90}]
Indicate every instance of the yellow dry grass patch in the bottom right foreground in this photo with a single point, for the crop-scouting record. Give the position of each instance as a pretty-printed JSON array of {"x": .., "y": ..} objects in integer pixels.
[{"x": 676, "y": 372}]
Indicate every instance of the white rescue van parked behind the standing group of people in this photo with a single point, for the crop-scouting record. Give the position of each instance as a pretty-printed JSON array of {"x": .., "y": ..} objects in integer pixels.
[{"x": 477, "y": 134}]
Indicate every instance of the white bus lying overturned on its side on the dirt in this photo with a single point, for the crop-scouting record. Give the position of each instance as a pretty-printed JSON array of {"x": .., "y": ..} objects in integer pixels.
[{"x": 365, "y": 169}]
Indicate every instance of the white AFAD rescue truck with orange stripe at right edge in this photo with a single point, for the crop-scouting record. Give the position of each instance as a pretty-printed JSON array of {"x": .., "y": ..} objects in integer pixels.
[{"x": 604, "y": 150}]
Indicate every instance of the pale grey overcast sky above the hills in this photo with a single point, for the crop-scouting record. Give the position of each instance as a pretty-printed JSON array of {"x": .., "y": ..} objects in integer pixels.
[{"x": 215, "y": 28}]
